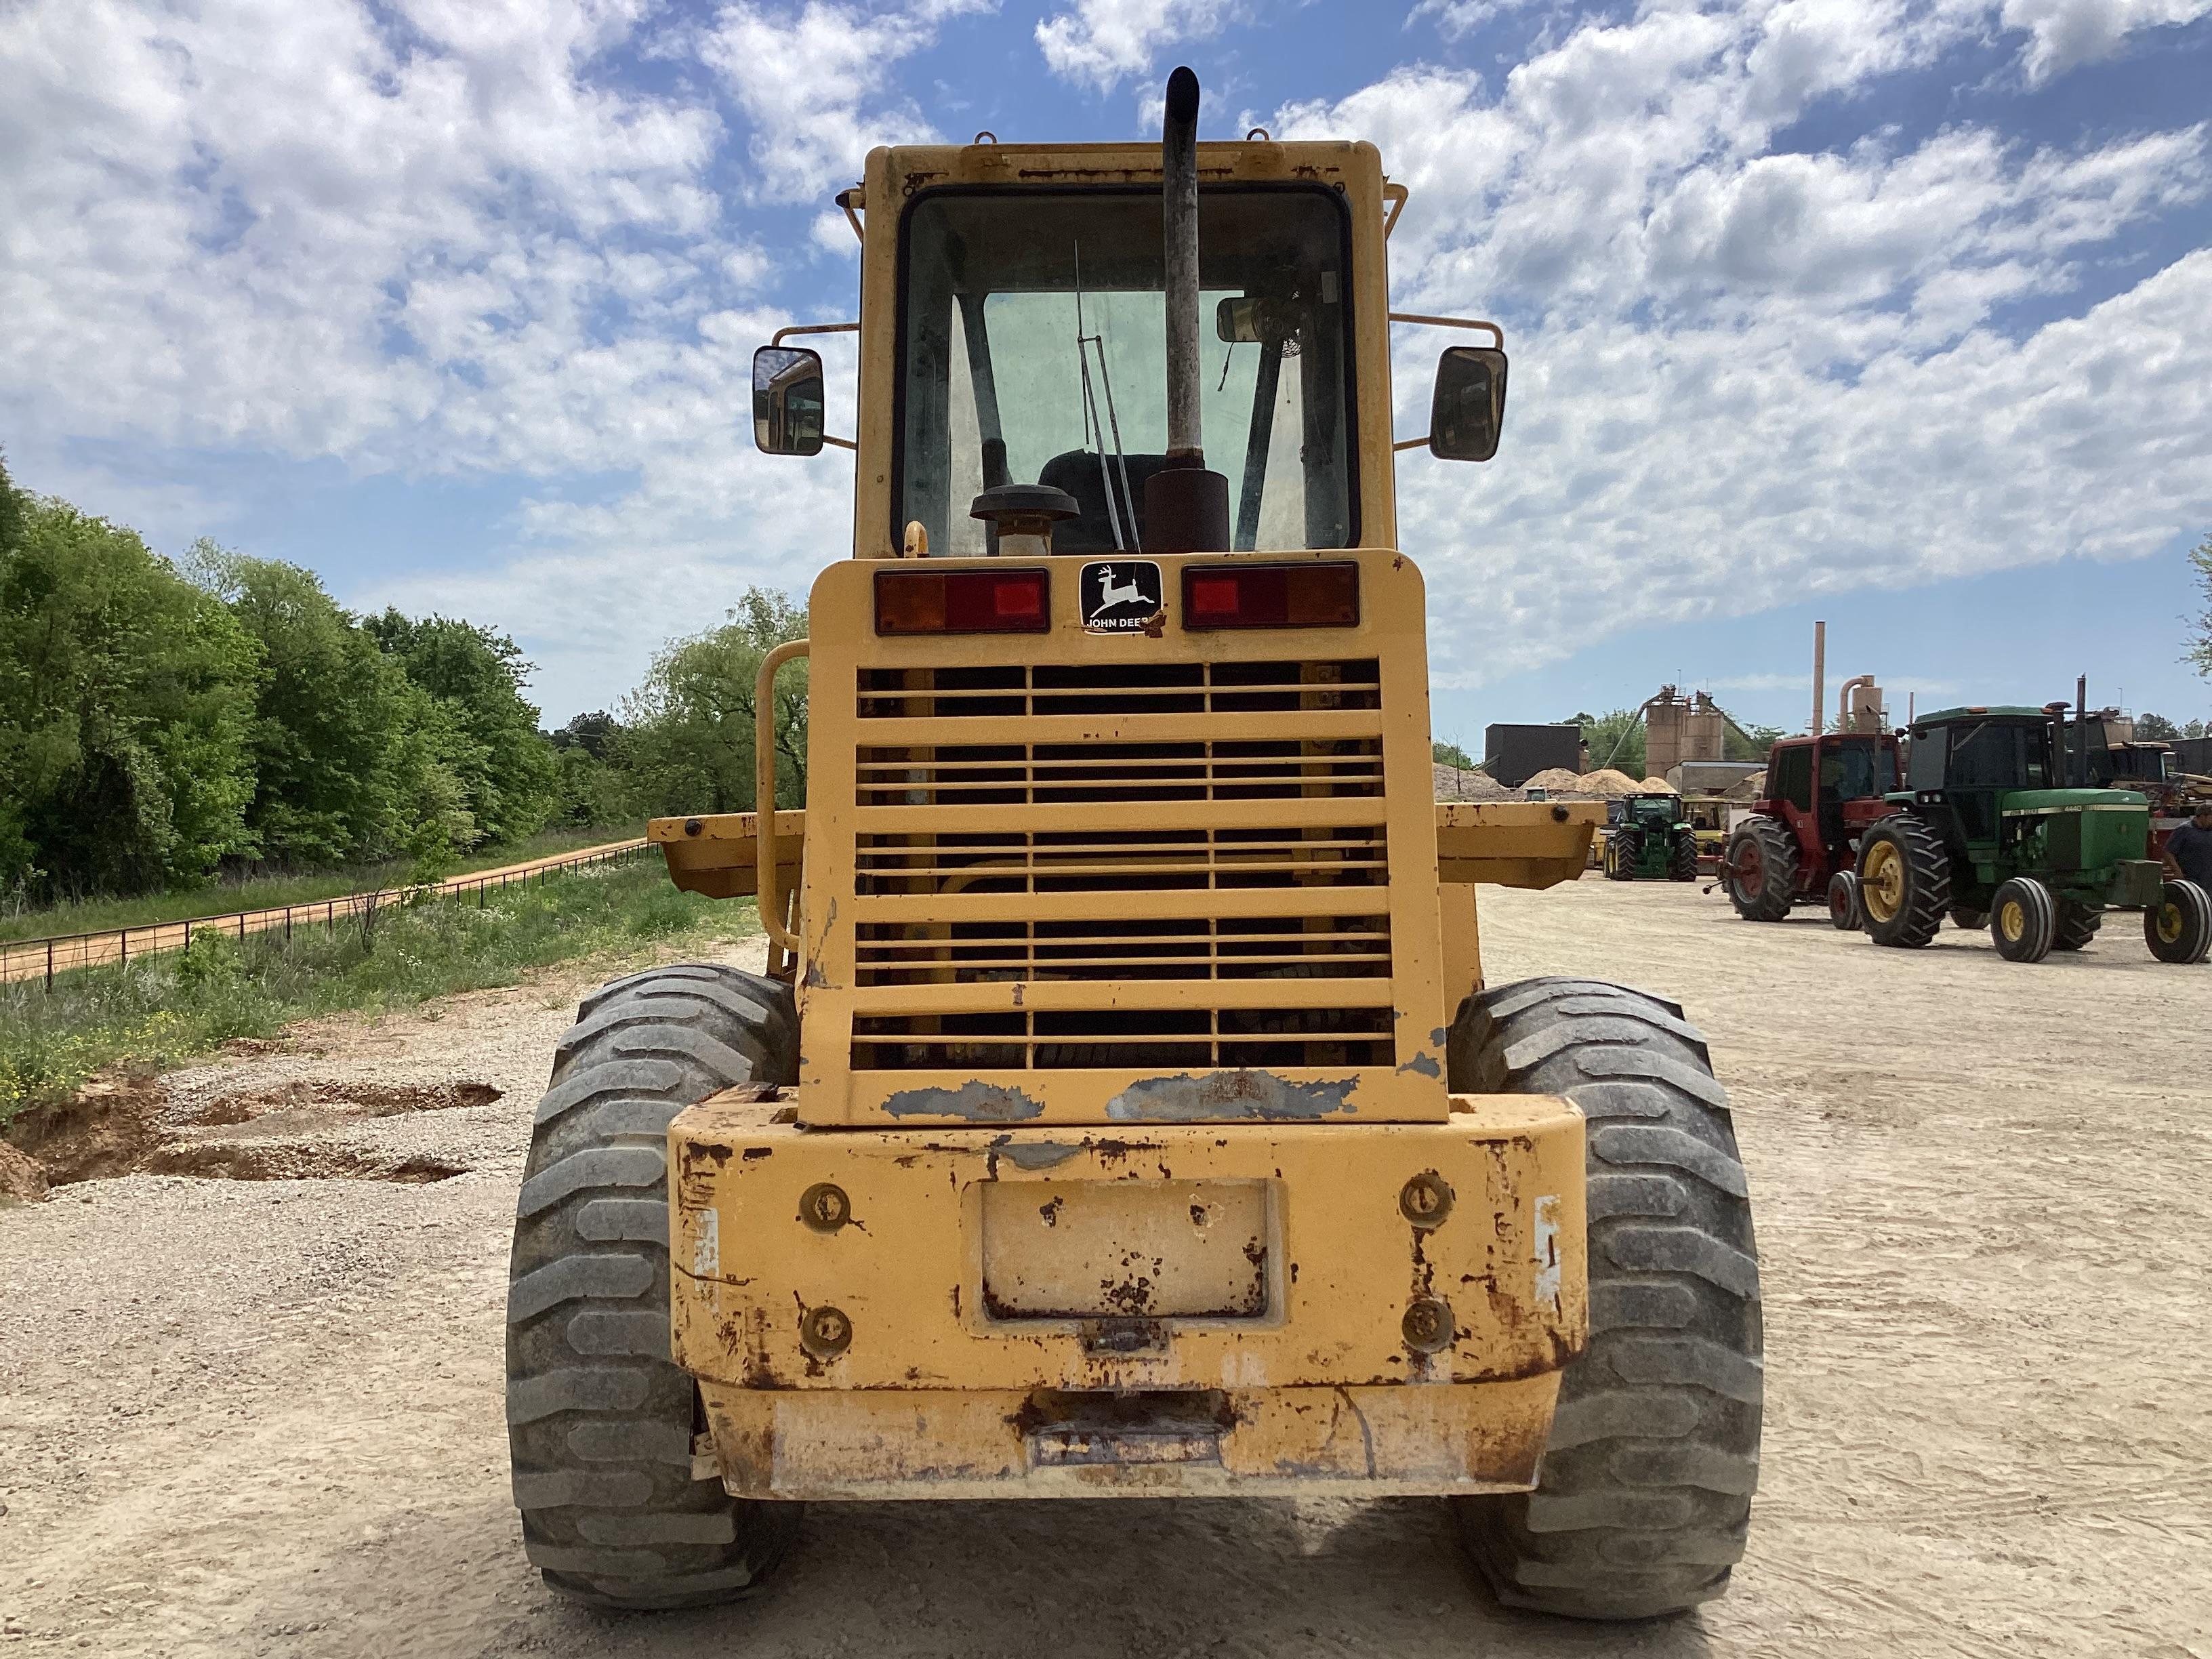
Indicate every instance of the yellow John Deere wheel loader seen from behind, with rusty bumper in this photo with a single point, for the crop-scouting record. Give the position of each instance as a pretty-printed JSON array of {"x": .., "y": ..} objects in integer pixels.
[{"x": 1123, "y": 1109}]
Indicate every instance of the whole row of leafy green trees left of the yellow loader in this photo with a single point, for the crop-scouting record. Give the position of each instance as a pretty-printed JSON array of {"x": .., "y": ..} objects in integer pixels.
[{"x": 167, "y": 722}]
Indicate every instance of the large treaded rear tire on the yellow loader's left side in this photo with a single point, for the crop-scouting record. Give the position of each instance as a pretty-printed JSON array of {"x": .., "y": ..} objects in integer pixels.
[{"x": 598, "y": 1419}]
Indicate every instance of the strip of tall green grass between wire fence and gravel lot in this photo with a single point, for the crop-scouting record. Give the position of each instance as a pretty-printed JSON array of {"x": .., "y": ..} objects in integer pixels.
[{"x": 191, "y": 1001}]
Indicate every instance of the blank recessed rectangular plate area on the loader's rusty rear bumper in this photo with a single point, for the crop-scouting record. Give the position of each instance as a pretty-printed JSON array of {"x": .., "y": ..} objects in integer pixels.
[{"x": 1129, "y": 1253}]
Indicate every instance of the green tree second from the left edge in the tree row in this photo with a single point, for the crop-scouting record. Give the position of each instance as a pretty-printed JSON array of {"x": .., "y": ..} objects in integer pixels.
[{"x": 328, "y": 718}]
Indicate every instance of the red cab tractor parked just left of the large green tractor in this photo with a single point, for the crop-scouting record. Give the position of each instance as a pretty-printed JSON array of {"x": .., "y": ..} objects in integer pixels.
[{"x": 1802, "y": 842}]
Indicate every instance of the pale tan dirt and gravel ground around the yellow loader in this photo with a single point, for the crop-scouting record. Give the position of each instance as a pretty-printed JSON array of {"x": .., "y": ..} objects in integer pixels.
[{"x": 262, "y": 1417}]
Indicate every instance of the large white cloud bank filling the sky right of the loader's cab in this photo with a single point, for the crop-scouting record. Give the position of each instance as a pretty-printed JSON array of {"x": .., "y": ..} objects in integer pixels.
[{"x": 1746, "y": 377}]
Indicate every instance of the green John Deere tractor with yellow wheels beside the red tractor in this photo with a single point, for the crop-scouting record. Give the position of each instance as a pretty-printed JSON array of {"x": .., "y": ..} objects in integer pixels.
[{"x": 1990, "y": 835}]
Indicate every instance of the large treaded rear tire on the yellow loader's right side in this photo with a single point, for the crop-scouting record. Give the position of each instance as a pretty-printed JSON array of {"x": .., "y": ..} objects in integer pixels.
[{"x": 1647, "y": 1483}]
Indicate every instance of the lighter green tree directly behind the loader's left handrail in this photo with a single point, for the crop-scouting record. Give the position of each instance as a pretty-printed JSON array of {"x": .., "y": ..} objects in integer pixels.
[{"x": 689, "y": 742}]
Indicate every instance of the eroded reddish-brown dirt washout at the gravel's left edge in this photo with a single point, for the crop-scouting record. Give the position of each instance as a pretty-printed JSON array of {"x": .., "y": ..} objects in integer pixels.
[{"x": 278, "y": 1134}]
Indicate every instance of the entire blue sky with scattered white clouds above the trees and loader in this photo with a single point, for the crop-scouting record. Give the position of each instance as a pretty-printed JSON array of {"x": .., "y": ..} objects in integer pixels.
[{"x": 1884, "y": 313}]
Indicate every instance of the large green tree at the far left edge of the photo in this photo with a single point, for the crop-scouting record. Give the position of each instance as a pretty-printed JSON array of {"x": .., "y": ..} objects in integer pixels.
[{"x": 125, "y": 711}]
